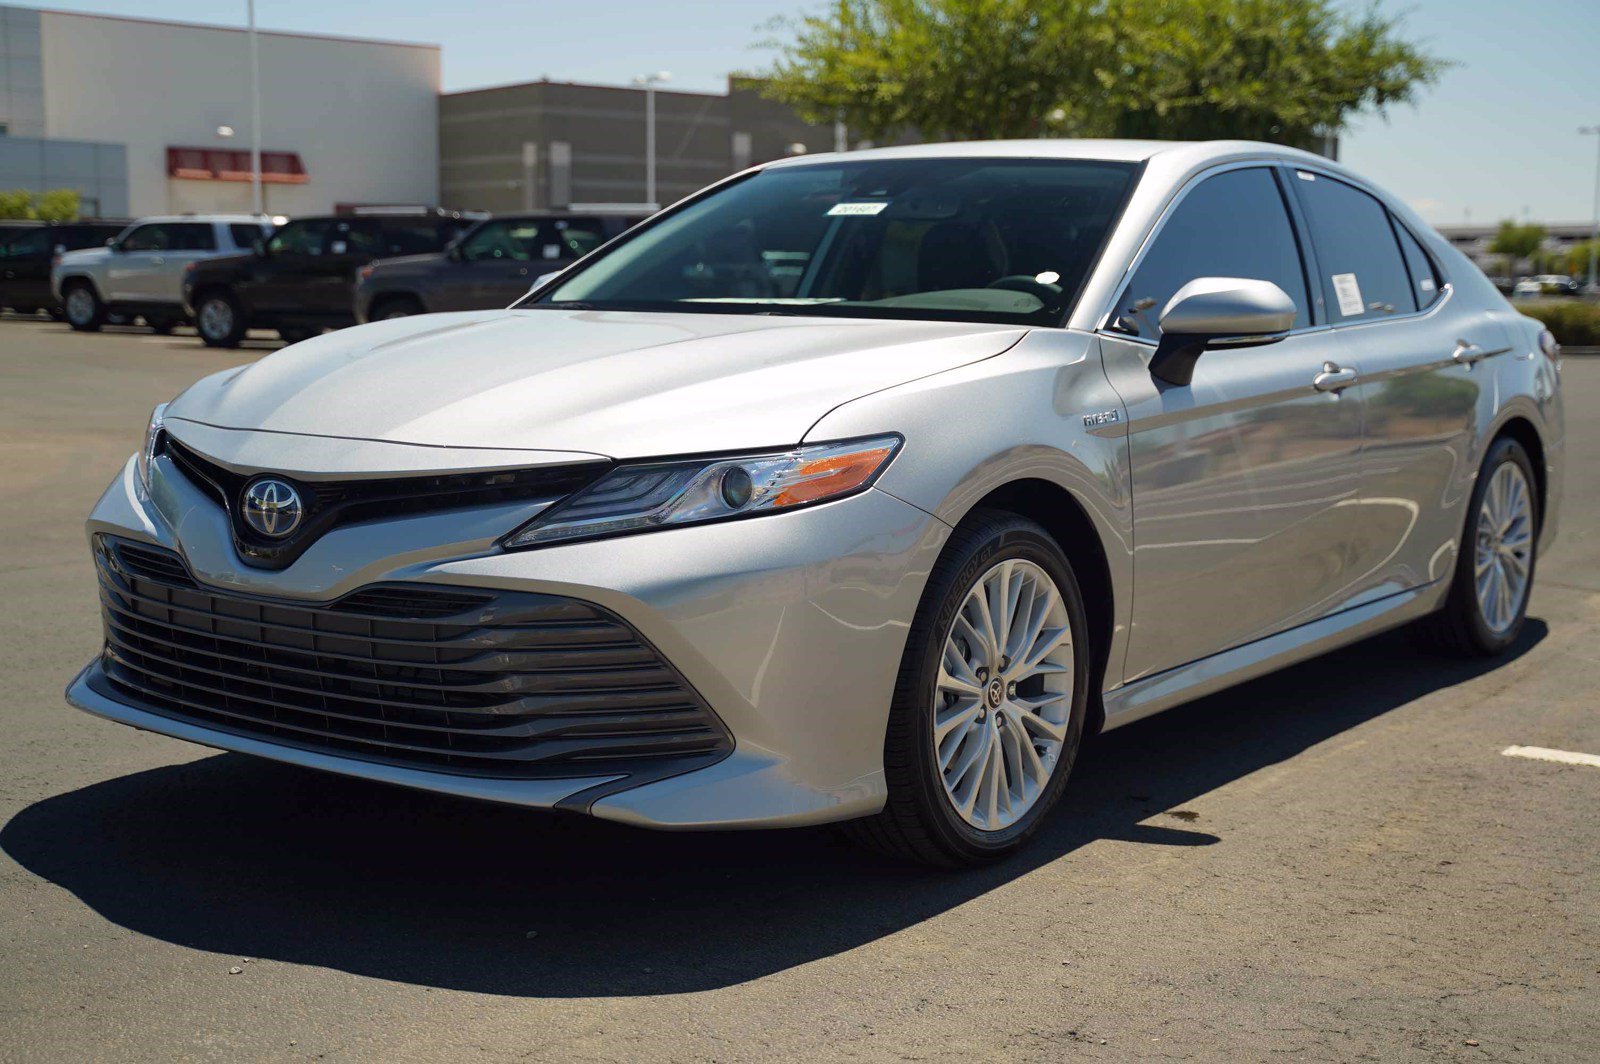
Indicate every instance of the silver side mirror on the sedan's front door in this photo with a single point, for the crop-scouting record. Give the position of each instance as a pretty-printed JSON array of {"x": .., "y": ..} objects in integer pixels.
[{"x": 1218, "y": 313}]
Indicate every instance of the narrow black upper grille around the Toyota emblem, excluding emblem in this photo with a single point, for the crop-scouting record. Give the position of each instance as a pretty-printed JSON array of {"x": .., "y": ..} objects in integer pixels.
[{"x": 335, "y": 503}]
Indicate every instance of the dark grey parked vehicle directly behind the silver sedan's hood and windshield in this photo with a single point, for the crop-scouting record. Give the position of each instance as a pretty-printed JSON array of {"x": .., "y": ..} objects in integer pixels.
[{"x": 490, "y": 266}]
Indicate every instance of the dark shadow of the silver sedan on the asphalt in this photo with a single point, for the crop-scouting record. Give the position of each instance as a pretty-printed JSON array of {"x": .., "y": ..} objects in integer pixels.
[{"x": 247, "y": 858}]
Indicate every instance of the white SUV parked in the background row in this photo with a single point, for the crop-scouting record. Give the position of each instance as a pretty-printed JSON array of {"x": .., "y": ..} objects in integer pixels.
[{"x": 140, "y": 271}]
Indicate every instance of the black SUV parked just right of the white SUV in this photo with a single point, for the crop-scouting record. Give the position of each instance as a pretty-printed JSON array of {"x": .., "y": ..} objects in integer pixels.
[{"x": 302, "y": 279}]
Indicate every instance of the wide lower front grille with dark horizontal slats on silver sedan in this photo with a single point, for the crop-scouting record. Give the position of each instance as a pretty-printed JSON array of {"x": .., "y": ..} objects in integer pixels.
[{"x": 463, "y": 681}]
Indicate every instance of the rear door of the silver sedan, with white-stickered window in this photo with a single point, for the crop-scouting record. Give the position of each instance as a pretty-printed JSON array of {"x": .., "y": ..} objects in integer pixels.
[{"x": 1426, "y": 375}]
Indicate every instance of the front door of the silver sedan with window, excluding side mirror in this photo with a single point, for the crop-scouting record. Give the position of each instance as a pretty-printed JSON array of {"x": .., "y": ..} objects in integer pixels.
[{"x": 1242, "y": 481}]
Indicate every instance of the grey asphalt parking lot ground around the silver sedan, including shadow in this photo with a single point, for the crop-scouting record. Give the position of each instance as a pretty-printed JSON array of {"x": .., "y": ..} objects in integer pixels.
[{"x": 1332, "y": 863}]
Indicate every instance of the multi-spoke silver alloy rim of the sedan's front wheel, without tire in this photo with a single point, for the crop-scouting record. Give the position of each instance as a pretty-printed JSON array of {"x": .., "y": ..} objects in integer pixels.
[{"x": 1004, "y": 697}]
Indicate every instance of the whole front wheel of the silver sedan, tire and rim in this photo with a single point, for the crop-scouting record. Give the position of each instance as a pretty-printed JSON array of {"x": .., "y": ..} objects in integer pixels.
[{"x": 991, "y": 700}]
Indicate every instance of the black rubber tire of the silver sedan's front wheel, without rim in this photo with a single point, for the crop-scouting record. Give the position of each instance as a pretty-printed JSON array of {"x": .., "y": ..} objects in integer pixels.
[{"x": 919, "y": 822}]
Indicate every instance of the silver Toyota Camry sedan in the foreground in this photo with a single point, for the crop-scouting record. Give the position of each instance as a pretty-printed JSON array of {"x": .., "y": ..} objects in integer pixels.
[{"x": 854, "y": 489}]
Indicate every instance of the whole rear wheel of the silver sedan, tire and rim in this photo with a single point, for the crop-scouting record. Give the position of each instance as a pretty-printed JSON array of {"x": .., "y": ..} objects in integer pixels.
[{"x": 1489, "y": 594}]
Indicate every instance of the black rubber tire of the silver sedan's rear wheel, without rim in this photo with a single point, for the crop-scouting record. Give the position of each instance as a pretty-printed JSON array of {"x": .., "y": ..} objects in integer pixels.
[{"x": 1458, "y": 628}]
